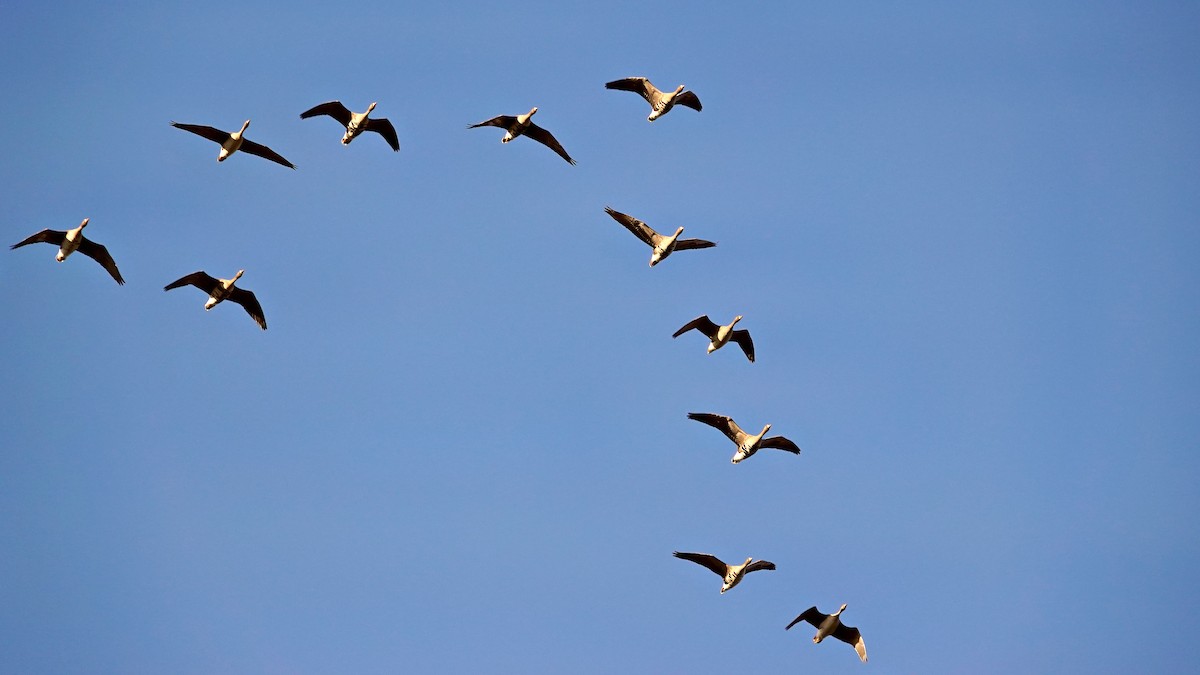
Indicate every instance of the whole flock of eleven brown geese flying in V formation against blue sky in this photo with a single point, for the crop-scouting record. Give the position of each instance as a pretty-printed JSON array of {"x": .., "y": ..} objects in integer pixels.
[{"x": 662, "y": 103}]
